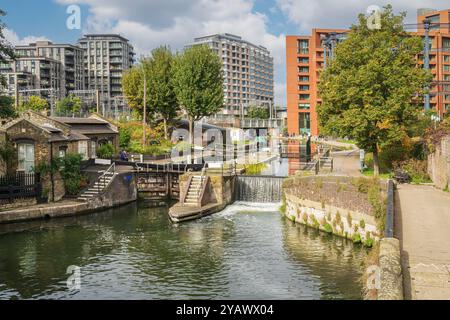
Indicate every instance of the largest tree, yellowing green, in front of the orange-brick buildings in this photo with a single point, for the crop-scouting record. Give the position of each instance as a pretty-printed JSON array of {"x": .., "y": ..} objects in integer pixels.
[{"x": 368, "y": 87}]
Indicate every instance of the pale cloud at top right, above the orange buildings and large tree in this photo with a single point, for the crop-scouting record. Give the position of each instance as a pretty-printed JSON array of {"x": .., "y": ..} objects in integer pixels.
[{"x": 341, "y": 14}]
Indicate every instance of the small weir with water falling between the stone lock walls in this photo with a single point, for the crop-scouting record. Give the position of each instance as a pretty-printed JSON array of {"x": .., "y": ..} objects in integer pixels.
[{"x": 258, "y": 188}]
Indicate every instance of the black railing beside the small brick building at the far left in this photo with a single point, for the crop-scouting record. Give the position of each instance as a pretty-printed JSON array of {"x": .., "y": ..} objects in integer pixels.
[{"x": 20, "y": 186}]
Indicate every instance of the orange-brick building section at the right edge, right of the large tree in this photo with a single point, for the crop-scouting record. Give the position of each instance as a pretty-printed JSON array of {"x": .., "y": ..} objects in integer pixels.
[{"x": 439, "y": 57}]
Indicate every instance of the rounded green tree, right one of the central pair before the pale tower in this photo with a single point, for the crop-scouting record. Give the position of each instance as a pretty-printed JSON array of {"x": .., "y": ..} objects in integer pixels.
[{"x": 198, "y": 83}]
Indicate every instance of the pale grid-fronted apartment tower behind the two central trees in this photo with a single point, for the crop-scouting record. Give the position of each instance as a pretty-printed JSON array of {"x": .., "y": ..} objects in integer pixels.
[{"x": 247, "y": 71}]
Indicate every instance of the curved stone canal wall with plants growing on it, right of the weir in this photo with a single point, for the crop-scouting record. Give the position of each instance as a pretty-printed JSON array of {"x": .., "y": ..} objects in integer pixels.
[{"x": 338, "y": 205}]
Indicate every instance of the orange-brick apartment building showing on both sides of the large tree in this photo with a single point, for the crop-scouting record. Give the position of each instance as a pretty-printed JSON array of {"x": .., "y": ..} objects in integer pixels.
[{"x": 305, "y": 58}]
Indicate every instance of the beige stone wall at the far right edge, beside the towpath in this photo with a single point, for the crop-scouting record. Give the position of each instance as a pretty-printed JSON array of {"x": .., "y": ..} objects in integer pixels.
[{"x": 439, "y": 164}]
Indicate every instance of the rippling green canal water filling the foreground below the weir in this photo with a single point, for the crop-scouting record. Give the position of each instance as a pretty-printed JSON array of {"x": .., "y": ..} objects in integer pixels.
[{"x": 248, "y": 251}]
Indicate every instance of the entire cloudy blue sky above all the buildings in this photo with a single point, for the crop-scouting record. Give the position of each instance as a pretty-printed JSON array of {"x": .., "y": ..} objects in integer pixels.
[{"x": 151, "y": 23}]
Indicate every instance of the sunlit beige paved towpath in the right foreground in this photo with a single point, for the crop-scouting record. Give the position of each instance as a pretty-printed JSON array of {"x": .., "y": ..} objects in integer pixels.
[{"x": 422, "y": 224}]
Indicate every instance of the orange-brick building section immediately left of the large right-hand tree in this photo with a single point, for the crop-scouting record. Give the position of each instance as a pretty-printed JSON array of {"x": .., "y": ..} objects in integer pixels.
[{"x": 304, "y": 60}]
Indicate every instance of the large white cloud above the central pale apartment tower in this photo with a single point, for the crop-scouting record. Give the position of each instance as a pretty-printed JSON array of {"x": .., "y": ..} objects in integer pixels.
[{"x": 149, "y": 24}]
